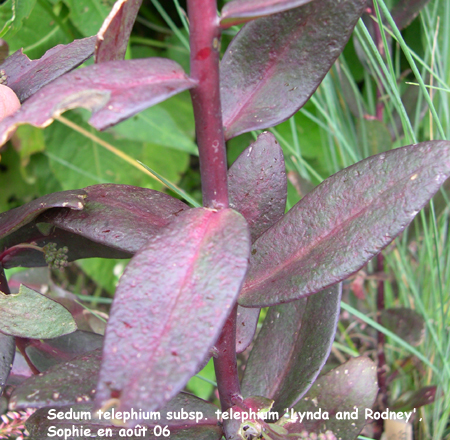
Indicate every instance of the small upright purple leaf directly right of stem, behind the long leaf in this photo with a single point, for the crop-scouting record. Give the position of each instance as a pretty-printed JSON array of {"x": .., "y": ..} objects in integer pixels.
[{"x": 257, "y": 184}]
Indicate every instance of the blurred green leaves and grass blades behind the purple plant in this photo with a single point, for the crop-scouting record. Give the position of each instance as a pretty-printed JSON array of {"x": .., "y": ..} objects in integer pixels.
[{"x": 369, "y": 102}]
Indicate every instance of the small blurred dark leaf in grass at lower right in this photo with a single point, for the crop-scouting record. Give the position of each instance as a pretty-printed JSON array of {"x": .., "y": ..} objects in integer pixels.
[{"x": 406, "y": 323}]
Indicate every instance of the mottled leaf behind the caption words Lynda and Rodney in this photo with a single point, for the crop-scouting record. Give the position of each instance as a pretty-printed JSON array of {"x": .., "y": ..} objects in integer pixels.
[{"x": 351, "y": 387}]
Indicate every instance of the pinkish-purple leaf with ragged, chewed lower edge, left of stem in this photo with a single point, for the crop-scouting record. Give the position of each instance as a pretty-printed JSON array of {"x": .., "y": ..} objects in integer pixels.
[{"x": 114, "y": 91}]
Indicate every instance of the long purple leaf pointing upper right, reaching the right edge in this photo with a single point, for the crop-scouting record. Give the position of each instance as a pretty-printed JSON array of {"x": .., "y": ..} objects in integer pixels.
[{"x": 340, "y": 225}]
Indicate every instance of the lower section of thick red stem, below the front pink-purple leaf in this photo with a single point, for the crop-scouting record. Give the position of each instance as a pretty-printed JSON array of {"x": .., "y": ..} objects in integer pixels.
[{"x": 225, "y": 364}]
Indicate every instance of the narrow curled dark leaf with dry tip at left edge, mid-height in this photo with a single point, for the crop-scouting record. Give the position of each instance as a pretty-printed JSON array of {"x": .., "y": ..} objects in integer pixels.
[{"x": 14, "y": 219}]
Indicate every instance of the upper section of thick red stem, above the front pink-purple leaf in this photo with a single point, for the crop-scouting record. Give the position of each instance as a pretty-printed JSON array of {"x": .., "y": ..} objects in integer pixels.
[{"x": 204, "y": 43}]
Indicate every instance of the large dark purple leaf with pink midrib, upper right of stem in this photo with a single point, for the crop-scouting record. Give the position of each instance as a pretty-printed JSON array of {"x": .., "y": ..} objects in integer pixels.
[{"x": 274, "y": 64}]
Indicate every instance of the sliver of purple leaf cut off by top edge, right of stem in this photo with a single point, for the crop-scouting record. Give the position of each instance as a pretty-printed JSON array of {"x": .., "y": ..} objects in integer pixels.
[{"x": 241, "y": 11}]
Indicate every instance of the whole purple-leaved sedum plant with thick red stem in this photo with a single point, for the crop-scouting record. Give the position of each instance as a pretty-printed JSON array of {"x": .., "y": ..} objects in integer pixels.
[{"x": 198, "y": 276}]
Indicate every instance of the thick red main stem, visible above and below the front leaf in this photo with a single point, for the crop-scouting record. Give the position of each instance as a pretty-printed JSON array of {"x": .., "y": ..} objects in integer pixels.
[{"x": 205, "y": 45}]
